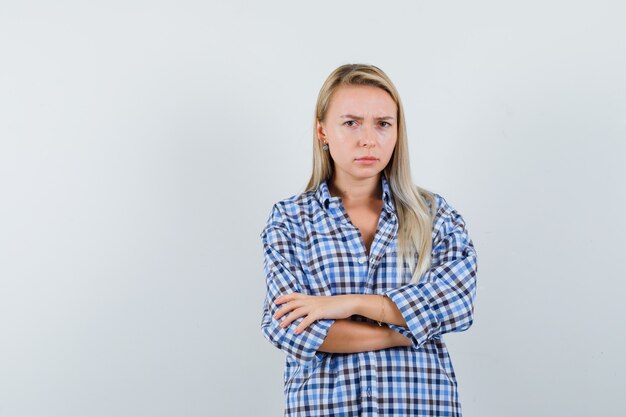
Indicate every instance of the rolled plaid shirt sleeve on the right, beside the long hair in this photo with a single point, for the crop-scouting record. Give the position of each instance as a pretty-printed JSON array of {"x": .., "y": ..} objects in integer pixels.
[{"x": 443, "y": 300}]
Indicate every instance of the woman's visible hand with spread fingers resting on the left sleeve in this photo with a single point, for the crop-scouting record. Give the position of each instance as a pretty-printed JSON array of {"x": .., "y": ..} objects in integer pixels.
[{"x": 314, "y": 307}]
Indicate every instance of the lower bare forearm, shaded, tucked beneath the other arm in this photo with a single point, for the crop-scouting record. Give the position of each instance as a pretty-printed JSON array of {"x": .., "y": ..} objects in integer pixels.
[{"x": 348, "y": 336}]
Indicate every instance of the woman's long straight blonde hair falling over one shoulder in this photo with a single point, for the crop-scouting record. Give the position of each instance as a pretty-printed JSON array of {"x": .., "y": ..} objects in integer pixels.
[{"x": 415, "y": 206}]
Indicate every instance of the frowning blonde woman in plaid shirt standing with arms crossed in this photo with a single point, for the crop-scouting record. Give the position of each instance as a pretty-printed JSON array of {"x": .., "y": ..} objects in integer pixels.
[{"x": 366, "y": 271}]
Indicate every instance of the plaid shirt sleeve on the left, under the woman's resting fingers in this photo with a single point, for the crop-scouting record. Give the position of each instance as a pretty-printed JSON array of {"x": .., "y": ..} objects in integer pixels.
[{"x": 284, "y": 275}]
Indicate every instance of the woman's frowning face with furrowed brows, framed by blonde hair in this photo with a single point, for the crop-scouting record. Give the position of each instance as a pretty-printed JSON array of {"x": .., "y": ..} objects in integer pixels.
[{"x": 361, "y": 130}]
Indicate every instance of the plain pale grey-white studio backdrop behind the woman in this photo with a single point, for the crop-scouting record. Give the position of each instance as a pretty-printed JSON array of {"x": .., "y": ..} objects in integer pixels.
[{"x": 144, "y": 143}]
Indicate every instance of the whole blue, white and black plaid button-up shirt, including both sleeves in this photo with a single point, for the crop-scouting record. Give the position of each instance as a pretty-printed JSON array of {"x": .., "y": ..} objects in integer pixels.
[{"x": 311, "y": 247}]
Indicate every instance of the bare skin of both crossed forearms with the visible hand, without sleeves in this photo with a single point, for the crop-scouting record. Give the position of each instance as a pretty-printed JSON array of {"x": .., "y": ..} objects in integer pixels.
[{"x": 345, "y": 336}]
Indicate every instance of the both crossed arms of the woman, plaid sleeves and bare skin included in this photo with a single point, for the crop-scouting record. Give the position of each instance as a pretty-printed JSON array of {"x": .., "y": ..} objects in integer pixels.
[{"x": 441, "y": 302}]
